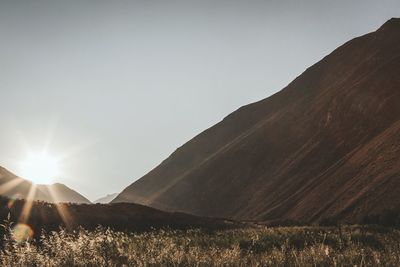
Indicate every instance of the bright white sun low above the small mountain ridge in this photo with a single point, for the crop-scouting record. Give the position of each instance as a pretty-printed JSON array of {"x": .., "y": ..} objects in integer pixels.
[{"x": 40, "y": 168}]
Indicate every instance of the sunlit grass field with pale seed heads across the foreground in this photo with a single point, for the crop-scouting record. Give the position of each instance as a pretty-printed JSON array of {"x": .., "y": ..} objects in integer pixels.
[{"x": 285, "y": 246}]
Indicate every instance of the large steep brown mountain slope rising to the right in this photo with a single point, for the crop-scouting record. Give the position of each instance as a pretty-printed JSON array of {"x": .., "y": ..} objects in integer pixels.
[{"x": 326, "y": 146}]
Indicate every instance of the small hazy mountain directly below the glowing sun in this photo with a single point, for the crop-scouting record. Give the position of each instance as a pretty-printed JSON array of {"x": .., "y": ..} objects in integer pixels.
[{"x": 17, "y": 187}]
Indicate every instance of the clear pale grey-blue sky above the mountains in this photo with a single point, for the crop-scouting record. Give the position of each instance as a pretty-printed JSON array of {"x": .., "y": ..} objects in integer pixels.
[{"x": 111, "y": 88}]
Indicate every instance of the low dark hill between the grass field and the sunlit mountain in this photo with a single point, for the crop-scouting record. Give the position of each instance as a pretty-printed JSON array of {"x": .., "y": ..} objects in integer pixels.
[{"x": 126, "y": 217}]
